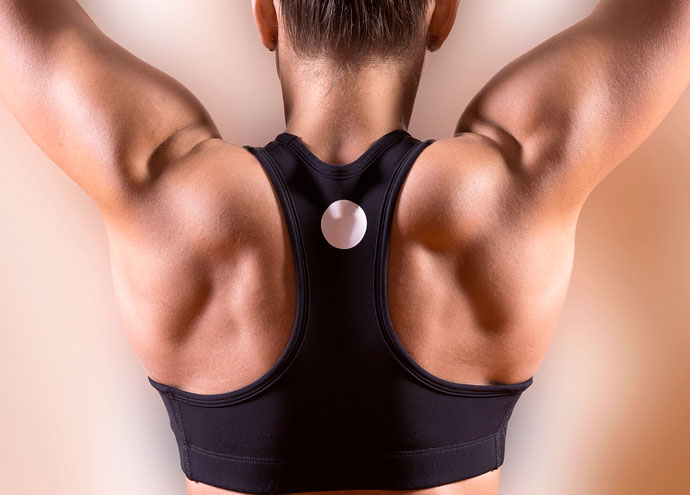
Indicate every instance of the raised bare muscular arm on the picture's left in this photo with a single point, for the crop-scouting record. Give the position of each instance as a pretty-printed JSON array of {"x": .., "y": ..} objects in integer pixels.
[{"x": 107, "y": 118}]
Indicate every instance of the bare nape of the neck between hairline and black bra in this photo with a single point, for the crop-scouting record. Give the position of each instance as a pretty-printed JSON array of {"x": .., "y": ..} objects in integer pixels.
[{"x": 339, "y": 115}]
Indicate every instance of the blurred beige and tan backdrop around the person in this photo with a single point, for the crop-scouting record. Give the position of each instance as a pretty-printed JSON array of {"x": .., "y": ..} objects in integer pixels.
[{"x": 608, "y": 410}]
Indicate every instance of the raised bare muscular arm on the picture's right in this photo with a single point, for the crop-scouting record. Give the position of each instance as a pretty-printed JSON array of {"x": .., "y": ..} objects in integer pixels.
[{"x": 568, "y": 111}]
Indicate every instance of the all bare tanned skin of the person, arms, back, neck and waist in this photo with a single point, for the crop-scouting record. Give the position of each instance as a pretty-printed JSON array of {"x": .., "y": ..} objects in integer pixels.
[{"x": 483, "y": 230}]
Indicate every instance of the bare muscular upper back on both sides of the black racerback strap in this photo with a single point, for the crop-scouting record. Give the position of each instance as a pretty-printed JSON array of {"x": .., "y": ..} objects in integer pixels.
[{"x": 206, "y": 282}]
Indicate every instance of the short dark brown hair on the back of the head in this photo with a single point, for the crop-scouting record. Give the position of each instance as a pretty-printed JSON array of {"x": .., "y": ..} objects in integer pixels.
[{"x": 352, "y": 32}]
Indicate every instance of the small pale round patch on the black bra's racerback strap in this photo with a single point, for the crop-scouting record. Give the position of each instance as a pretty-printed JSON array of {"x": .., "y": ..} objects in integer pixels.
[{"x": 343, "y": 224}]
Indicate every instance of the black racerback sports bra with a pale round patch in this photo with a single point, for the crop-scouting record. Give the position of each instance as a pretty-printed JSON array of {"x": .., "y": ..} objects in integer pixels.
[{"x": 345, "y": 406}]
